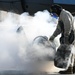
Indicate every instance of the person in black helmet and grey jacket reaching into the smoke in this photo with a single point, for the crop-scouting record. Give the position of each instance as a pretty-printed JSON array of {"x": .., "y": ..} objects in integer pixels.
[{"x": 65, "y": 27}]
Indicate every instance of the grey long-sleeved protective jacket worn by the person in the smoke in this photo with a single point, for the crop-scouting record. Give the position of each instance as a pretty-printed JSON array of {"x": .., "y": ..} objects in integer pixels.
[{"x": 68, "y": 21}]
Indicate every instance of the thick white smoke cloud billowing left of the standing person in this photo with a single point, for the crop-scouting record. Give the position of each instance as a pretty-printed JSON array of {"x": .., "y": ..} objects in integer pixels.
[{"x": 17, "y": 33}]
